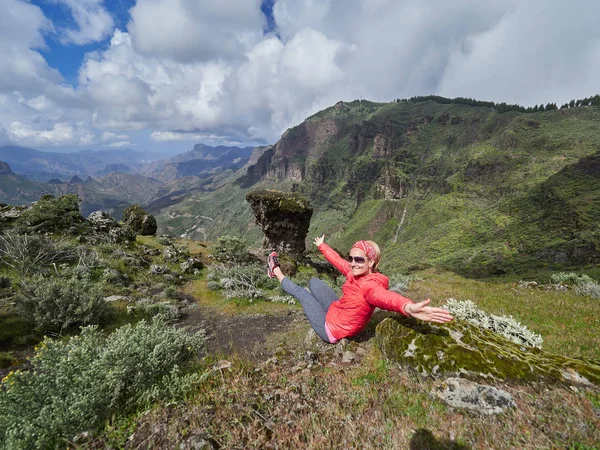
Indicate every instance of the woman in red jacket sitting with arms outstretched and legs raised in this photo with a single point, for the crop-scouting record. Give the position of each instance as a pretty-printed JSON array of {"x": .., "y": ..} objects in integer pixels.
[{"x": 364, "y": 290}]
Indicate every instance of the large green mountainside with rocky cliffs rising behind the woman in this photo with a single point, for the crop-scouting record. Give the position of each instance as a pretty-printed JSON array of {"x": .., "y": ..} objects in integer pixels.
[{"x": 465, "y": 187}]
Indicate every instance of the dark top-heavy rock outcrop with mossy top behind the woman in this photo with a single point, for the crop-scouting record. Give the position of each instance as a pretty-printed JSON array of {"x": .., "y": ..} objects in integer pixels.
[{"x": 284, "y": 218}]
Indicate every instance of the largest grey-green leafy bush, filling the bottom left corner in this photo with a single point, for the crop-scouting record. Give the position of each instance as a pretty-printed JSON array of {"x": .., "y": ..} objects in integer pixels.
[{"x": 79, "y": 384}]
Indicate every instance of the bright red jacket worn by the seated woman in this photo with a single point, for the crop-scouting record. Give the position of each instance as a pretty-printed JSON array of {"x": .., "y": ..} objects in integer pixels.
[{"x": 350, "y": 314}]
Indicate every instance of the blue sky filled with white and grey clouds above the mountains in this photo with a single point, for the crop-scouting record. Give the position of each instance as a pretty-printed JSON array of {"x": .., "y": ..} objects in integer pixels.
[{"x": 163, "y": 75}]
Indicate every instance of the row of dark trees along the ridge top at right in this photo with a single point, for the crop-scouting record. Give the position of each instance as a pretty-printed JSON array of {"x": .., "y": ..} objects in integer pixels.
[{"x": 502, "y": 107}]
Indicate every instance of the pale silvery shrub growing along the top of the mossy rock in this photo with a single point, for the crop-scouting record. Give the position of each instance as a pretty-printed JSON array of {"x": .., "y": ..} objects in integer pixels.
[{"x": 506, "y": 326}]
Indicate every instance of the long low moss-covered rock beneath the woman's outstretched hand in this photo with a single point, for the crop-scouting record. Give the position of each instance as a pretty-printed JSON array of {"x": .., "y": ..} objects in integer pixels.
[{"x": 460, "y": 348}]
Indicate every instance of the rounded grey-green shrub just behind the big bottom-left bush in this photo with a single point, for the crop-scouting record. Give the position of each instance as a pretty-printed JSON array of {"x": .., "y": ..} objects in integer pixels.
[{"x": 56, "y": 305}]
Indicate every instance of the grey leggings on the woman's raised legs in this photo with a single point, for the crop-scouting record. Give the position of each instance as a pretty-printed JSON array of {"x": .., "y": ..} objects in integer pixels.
[{"x": 315, "y": 303}]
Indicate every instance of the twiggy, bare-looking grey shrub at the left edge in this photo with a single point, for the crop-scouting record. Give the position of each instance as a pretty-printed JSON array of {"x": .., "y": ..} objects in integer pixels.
[{"x": 32, "y": 253}]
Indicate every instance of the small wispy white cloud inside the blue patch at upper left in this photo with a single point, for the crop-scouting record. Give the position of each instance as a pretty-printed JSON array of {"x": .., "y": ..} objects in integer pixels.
[{"x": 93, "y": 22}]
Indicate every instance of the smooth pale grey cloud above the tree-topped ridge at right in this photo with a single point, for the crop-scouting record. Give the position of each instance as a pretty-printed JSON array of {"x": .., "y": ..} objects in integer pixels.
[{"x": 553, "y": 58}]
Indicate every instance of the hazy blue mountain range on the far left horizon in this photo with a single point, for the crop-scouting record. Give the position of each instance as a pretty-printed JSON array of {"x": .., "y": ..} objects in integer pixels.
[{"x": 43, "y": 166}]
